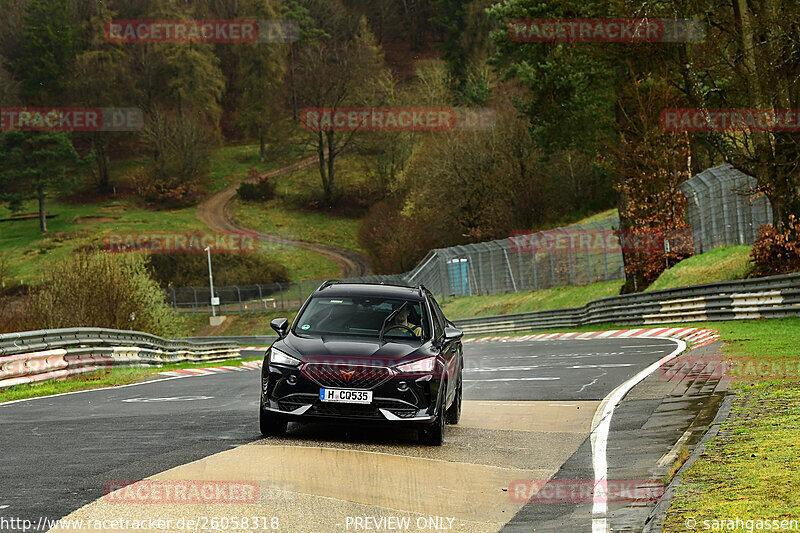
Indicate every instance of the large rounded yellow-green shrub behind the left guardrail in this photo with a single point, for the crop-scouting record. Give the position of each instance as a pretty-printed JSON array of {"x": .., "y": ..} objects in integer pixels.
[{"x": 99, "y": 289}]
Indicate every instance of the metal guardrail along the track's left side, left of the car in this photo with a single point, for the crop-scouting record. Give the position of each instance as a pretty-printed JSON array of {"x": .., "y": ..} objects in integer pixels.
[{"x": 33, "y": 356}]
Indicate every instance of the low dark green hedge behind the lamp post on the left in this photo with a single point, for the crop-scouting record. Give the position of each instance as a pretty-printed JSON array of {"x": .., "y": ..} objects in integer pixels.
[{"x": 229, "y": 269}]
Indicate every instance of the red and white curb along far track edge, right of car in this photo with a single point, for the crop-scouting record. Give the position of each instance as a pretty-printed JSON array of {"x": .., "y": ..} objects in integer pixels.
[{"x": 693, "y": 336}]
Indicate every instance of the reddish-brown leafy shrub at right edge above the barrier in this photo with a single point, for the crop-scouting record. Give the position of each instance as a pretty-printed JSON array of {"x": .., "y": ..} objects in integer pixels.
[{"x": 777, "y": 252}]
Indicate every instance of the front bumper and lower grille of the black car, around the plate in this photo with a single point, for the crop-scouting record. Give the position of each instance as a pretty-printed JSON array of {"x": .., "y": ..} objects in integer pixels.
[{"x": 290, "y": 393}]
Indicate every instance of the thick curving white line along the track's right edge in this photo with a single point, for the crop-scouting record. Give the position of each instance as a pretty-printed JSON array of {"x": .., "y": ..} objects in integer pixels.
[{"x": 601, "y": 424}]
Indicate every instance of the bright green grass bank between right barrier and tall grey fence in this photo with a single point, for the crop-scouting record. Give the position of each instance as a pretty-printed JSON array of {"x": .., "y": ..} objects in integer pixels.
[{"x": 721, "y": 264}]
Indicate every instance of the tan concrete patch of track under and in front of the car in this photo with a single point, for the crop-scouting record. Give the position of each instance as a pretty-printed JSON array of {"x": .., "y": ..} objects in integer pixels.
[{"x": 373, "y": 475}]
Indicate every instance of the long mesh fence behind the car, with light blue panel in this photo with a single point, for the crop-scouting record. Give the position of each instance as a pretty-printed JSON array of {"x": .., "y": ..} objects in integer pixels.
[{"x": 574, "y": 255}]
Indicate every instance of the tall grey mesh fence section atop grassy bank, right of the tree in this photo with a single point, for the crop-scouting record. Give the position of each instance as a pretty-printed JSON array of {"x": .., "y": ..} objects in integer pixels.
[{"x": 724, "y": 208}]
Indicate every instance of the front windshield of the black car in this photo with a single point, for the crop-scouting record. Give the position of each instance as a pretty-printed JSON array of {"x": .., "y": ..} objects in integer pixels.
[{"x": 363, "y": 316}]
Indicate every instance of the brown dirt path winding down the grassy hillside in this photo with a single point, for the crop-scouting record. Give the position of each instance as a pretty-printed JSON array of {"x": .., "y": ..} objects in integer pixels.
[{"x": 215, "y": 212}]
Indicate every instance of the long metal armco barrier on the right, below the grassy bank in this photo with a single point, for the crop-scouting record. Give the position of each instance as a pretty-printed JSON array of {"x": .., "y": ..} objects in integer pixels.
[{"x": 771, "y": 297}]
